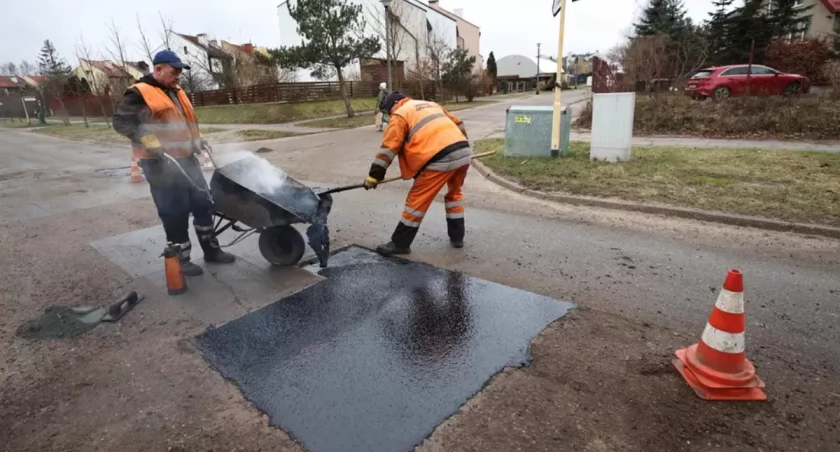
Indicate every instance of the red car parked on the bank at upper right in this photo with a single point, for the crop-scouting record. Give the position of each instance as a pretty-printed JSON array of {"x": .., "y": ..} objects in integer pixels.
[{"x": 725, "y": 81}]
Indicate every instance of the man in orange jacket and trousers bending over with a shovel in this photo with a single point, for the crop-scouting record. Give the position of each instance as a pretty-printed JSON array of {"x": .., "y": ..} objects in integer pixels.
[{"x": 433, "y": 149}]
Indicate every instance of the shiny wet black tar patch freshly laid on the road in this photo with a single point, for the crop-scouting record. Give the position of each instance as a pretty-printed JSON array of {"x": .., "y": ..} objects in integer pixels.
[{"x": 374, "y": 357}]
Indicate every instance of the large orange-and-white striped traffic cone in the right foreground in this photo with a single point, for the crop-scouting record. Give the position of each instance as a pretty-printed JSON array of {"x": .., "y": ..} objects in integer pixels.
[{"x": 717, "y": 367}]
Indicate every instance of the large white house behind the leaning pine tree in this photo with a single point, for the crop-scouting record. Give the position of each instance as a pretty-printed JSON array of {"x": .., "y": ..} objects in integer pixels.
[{"x": 419, "y": 28}]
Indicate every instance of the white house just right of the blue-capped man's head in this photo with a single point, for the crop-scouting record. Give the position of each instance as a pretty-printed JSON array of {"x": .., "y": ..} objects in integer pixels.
[{"x": 208, "y": 61}]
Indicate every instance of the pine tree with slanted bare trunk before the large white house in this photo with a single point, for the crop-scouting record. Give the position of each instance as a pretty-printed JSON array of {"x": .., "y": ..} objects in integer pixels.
[{"x": 333, "y": 34}]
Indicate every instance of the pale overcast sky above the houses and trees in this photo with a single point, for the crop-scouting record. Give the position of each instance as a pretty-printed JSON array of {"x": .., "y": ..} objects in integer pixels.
[{"x": 507, "y": 26}]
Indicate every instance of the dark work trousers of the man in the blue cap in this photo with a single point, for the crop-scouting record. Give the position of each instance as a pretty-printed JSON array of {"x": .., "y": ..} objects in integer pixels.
[{"x": 176, "y": 198}]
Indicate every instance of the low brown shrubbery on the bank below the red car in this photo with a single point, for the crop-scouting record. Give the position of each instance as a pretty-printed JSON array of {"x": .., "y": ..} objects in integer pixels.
[{"x": 803, "y": 117}]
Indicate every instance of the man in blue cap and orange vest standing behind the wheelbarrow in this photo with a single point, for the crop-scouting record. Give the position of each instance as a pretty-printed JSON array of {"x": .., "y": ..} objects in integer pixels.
[{"x": 158, "y": 118}]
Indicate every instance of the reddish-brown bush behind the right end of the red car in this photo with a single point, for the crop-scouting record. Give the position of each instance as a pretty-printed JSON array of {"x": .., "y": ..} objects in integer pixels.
[{"x": 807, "y": 57}]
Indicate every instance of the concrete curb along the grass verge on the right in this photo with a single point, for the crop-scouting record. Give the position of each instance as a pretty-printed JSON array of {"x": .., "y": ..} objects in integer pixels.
[{"x": 658, "y": 209}]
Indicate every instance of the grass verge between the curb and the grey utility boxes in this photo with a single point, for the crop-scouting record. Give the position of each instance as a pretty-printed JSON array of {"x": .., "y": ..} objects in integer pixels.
[{"x": 785, "y": 185}]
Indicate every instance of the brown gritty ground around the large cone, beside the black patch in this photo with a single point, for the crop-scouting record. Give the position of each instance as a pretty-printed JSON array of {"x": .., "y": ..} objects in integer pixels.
[{"x": 599, "y": 382}]
